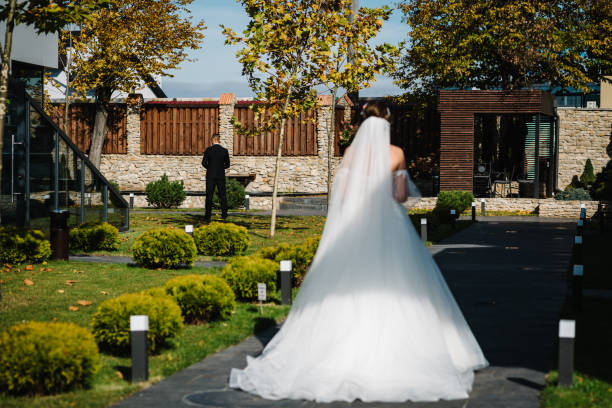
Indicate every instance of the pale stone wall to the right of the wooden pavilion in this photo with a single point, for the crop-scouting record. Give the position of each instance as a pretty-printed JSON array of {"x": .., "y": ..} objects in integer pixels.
[{"x": 583, "y": 134}]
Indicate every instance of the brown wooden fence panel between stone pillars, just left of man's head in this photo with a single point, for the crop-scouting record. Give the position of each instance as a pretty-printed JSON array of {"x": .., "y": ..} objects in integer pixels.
[{"x": 178, "y": 128}]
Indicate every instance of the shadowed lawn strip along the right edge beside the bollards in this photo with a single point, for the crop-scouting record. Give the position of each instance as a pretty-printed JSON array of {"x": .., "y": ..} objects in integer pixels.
[{"x": 593, "y": 354}]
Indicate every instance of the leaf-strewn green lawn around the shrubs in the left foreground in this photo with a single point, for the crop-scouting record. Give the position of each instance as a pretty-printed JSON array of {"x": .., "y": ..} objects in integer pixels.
[{"x": 97, "y": 282}]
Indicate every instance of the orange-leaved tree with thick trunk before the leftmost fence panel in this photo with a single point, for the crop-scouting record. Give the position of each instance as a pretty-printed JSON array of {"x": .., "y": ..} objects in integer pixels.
[{"x": 127, "y": 44}]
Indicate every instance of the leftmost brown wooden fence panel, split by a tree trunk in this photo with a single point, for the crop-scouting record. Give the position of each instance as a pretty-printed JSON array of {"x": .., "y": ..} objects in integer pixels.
[{"x": 81, "y": 118}]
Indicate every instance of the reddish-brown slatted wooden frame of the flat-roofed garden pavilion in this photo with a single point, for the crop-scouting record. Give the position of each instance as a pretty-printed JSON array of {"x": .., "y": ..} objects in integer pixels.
[{"x": 457, "y": 115}]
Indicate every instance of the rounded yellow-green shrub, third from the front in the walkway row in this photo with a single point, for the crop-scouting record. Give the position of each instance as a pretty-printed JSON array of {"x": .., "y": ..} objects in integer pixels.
[{"x": 202, "y": 298}]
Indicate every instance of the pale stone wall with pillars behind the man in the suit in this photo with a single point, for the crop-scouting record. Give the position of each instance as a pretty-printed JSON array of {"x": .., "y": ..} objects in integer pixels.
[{"x": 133, "y": 171}]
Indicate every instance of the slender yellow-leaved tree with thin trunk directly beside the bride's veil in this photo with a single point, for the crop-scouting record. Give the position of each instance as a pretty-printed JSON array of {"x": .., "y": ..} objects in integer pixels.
[{"x": 349, "y": 61}]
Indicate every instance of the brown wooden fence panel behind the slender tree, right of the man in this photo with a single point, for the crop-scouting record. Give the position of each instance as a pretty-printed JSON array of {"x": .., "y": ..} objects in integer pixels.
[{"x": 300, "y": 135}]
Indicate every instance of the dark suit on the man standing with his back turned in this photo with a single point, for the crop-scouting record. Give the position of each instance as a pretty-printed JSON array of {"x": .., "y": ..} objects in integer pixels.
[{"x": 215, "y": 161}]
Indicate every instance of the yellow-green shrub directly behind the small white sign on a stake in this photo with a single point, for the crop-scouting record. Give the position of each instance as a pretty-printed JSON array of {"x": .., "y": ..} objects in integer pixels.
[{"x": 243, "y": 273}]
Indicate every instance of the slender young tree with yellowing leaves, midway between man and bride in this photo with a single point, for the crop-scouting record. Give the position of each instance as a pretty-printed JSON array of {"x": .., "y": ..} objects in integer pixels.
[{"x": 283, "y": 43}]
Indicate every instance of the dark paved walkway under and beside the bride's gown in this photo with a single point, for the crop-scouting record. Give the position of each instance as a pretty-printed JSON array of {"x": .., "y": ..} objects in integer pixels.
[{"x": 508, "y": 278}]
